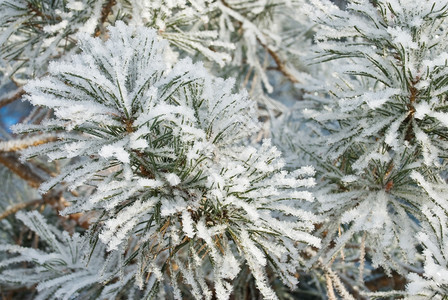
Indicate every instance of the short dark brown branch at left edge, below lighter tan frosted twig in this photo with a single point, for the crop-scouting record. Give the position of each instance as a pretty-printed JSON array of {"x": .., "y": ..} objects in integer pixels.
[{"x": 23, "y": 170}]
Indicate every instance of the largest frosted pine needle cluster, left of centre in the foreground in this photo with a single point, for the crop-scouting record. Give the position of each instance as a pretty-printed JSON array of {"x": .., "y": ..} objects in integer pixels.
[{"x": 175, "y": 187}]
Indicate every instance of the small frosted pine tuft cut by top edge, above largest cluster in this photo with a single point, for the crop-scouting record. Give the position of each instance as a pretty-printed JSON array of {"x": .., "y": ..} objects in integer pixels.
[{"x": 185, "y": 24}]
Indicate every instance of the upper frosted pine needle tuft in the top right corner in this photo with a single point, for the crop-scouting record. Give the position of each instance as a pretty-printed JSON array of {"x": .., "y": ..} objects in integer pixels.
[{"x": 395, "y": 70}]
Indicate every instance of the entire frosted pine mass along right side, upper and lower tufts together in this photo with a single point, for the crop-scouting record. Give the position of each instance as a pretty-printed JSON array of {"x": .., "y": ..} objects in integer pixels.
[{"x": 377, "y": 119}]
